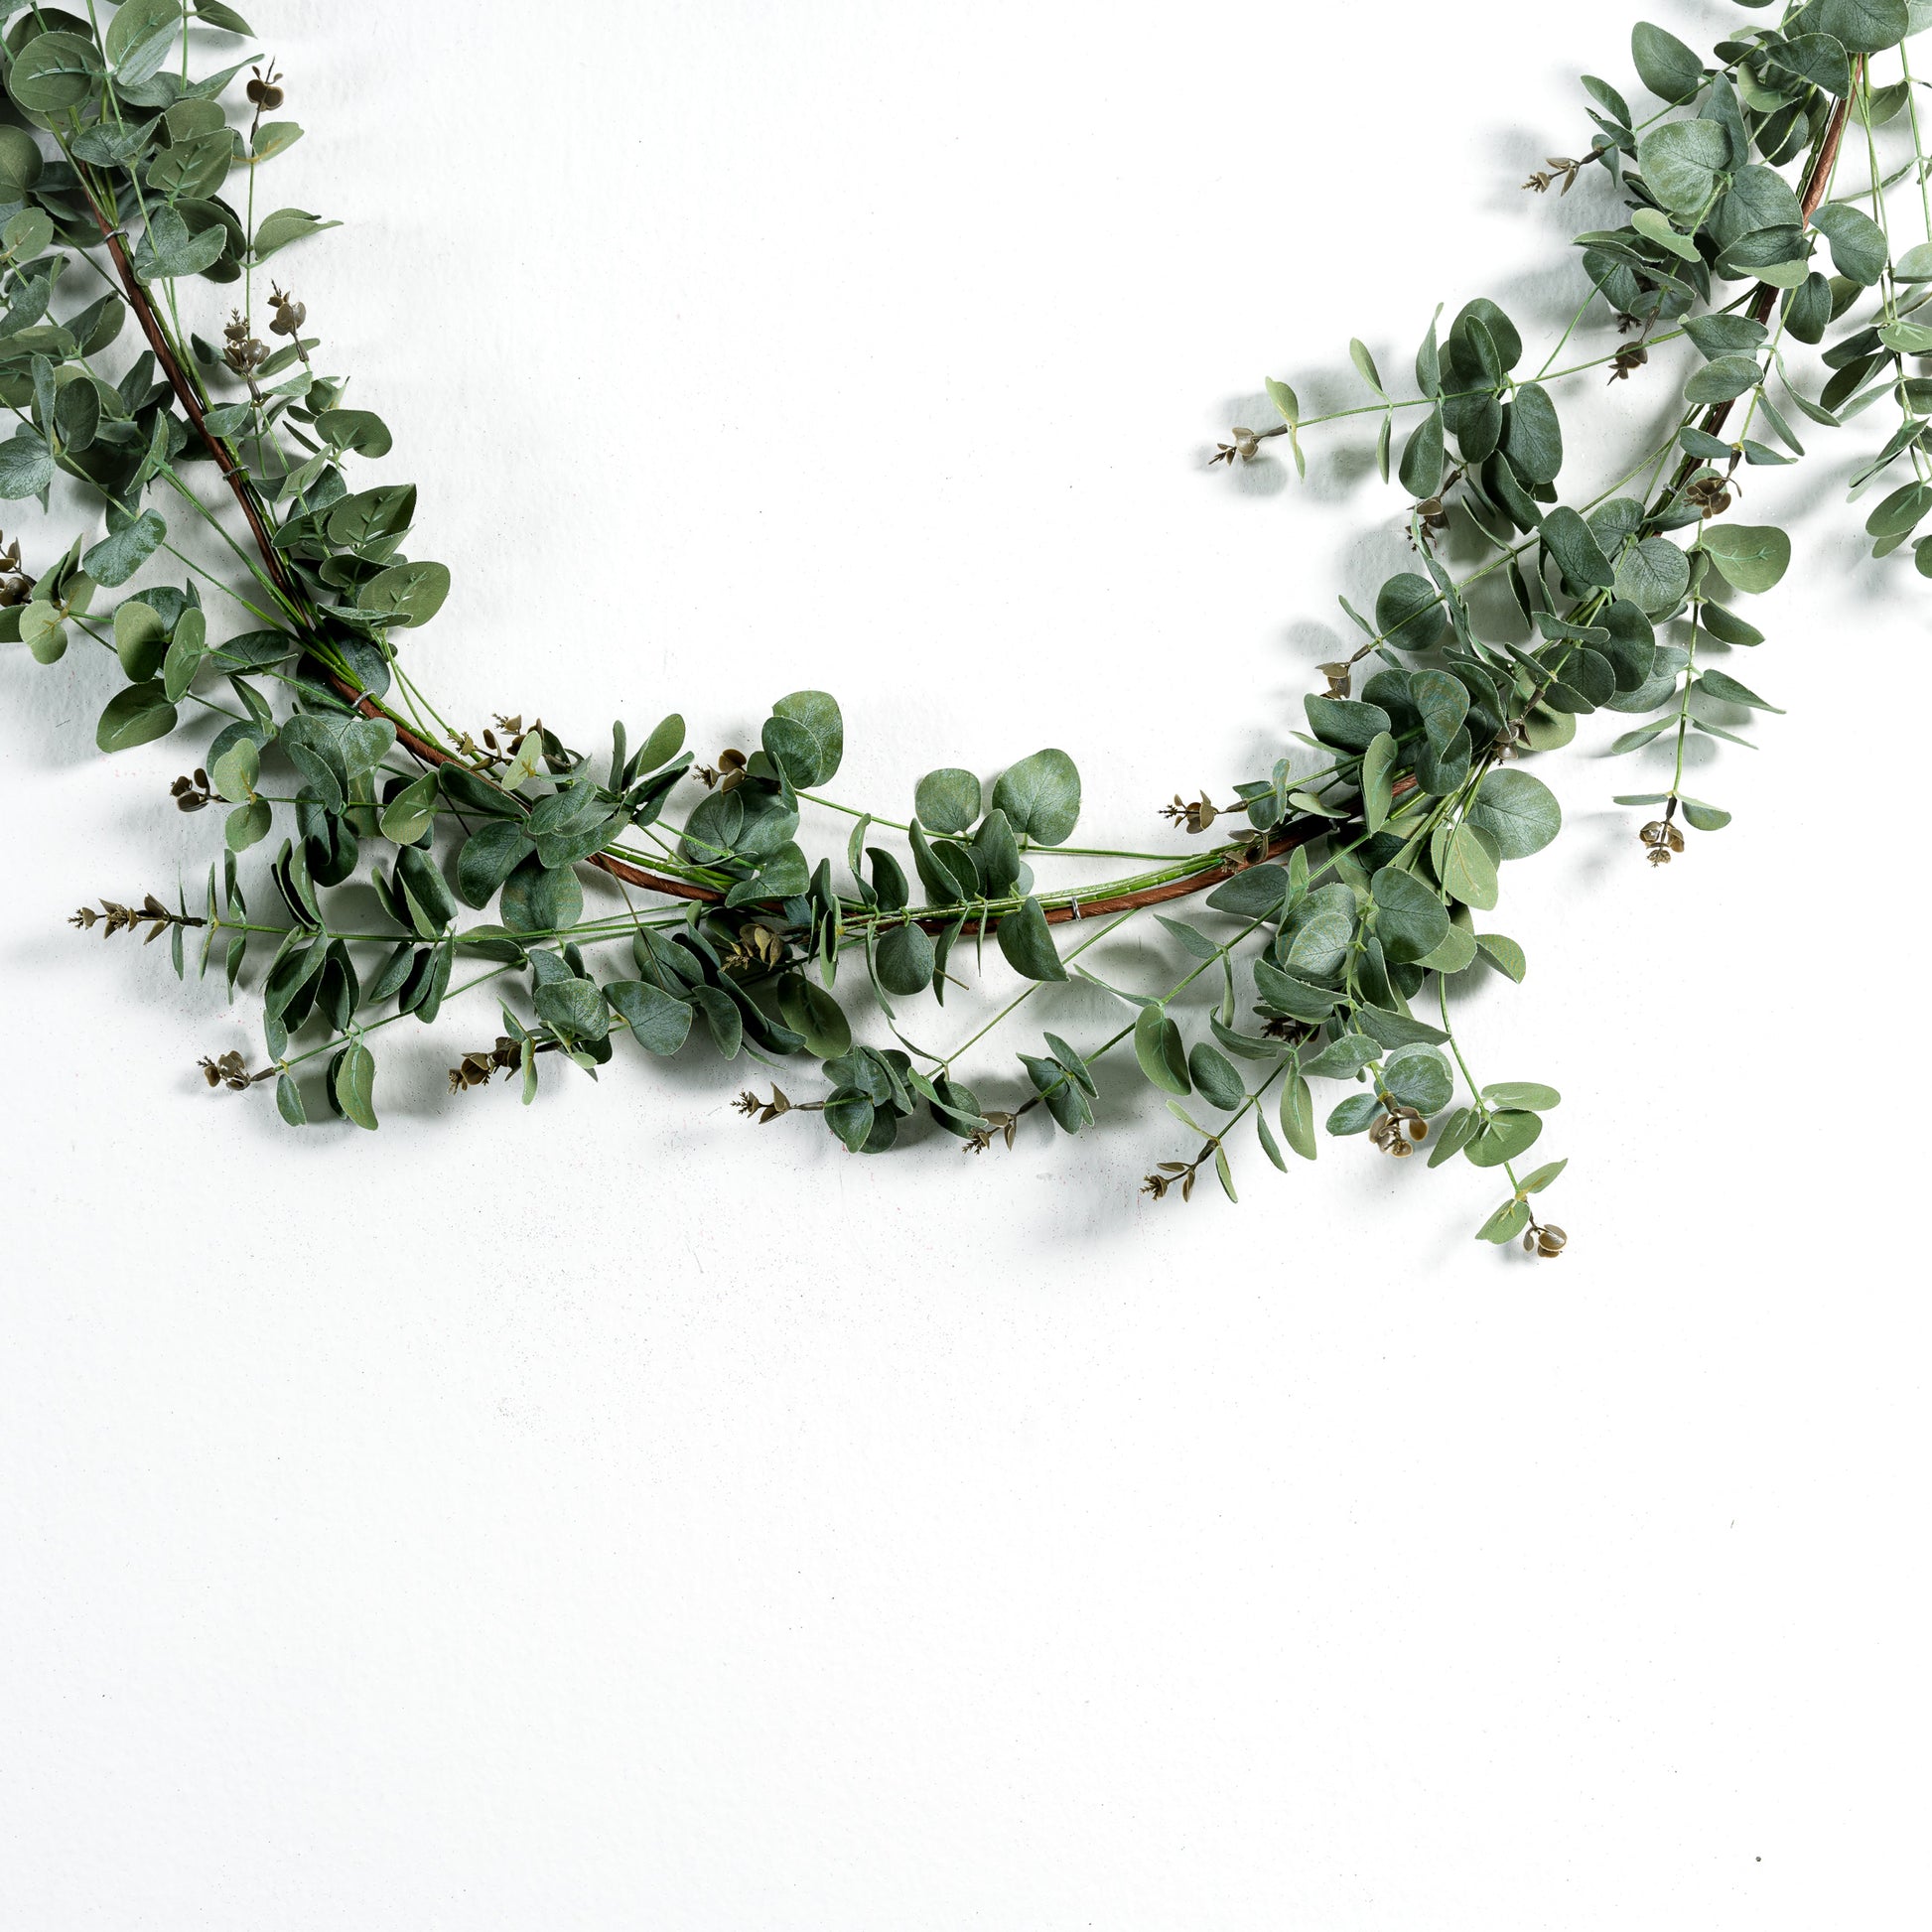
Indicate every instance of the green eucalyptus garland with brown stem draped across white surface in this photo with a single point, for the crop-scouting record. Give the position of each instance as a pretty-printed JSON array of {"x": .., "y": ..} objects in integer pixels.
[{"x": 1334, "y": 897}]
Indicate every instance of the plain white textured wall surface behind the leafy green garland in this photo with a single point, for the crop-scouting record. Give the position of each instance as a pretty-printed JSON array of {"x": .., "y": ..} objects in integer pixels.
[{"x": 611, "y": 1516}]
